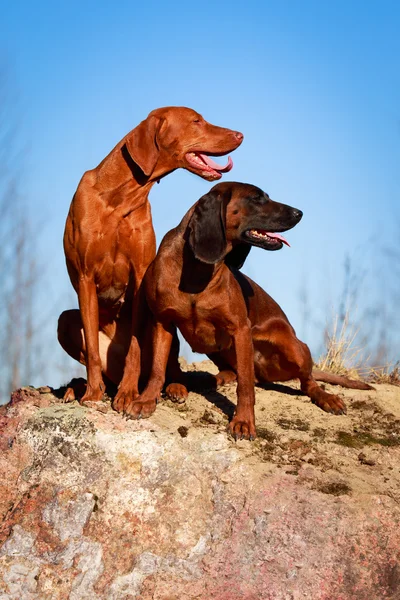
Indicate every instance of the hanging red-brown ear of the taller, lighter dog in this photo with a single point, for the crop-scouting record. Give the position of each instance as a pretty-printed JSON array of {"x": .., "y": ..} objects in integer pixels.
[{"x": 141, "y": 144}]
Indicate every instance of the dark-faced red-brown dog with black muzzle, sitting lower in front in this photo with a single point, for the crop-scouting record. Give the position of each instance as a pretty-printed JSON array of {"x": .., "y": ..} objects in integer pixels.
[{"x": 194, "y": 284}]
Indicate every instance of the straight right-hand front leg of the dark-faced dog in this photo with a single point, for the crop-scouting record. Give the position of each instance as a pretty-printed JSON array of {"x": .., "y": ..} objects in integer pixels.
[{"x": 242, "y": 425}]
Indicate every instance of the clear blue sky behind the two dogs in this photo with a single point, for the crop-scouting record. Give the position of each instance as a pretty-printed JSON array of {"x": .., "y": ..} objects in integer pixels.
[{"x": 314, "y": 87}]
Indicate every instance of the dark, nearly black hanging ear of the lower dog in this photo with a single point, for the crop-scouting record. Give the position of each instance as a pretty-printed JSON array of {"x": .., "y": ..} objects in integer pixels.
[{"x": 207, "y": 228}]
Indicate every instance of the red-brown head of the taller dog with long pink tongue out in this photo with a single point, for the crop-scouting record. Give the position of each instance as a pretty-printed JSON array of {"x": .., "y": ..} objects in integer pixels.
[{"x": 174, "y": 137}]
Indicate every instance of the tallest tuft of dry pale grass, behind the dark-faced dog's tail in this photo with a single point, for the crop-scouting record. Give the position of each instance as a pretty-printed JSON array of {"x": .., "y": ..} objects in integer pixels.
[{"x": 342, "y": 356}]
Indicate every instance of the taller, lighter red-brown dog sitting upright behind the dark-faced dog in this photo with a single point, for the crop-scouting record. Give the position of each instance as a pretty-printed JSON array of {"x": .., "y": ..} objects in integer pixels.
[{"x": 109, "y": 239}]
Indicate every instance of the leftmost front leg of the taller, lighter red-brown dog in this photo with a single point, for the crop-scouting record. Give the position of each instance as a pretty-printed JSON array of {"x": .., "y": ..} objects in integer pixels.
[{"x": 89, "y": 307}]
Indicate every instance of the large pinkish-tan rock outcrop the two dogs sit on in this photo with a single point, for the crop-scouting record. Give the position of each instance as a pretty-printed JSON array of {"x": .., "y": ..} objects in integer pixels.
[{"x": 97, "y": 507}]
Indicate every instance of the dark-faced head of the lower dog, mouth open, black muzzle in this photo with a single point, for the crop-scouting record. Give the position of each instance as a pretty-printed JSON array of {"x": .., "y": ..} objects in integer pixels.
[{"x": 232, "y": 217}]
